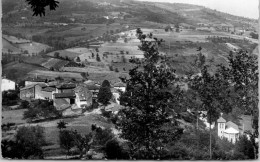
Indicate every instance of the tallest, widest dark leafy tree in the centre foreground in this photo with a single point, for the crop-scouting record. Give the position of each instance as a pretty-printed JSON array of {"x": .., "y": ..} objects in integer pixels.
[{"x": 148, "y": 121}]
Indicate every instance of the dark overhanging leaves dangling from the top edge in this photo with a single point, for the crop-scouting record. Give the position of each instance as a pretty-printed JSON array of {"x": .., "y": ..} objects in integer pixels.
[{"x": 38, "y": 7}]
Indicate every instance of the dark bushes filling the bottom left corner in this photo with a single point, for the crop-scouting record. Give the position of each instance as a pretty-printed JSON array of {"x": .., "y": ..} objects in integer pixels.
[{"x": 27, "y": 144}]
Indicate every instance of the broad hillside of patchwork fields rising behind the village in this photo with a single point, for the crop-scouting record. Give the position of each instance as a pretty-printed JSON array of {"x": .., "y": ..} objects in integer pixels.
[{"x": 82, "y": 24}]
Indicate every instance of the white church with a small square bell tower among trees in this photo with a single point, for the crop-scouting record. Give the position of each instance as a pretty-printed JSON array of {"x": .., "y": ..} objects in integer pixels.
[{"x": 228, "y": 130}]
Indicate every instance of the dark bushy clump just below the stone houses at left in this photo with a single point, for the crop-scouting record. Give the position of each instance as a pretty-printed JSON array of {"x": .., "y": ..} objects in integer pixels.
[{"x": 41, "y": 109}]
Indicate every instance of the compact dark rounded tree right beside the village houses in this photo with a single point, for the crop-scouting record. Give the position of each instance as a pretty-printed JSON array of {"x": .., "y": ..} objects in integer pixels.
[{"x": 104, "y": 94}]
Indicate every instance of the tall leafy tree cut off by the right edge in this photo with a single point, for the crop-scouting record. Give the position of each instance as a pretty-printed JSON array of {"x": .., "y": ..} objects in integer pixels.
[{"x": 242, "y": 75}]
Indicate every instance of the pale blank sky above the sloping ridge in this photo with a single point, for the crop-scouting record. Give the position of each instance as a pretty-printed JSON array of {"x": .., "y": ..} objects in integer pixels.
[{"x": 245, "y": 8}]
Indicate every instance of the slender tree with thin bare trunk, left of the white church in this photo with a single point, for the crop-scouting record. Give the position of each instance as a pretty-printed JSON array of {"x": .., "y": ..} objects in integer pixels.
[{"x": 213, "y": 94}]
